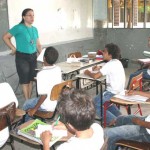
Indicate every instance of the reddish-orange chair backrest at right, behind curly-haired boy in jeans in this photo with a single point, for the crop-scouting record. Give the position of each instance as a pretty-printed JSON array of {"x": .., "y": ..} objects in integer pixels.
[{"x": 136, "y": 82}]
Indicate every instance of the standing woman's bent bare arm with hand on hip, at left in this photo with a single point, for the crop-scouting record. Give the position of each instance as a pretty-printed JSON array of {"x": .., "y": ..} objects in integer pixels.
[{"x": 6, "y": 37}]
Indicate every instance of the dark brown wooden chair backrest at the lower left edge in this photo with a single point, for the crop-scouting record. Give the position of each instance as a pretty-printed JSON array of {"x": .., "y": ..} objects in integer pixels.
[{"x": 7, "y": 115}]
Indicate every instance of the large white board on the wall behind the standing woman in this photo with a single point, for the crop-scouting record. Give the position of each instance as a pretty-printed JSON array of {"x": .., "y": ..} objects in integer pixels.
[{"x": 58, "y": 21}]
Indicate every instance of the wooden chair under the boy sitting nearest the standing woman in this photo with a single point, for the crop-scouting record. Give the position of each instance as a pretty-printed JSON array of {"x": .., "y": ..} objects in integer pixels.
[{"x": 56, "y": 90}]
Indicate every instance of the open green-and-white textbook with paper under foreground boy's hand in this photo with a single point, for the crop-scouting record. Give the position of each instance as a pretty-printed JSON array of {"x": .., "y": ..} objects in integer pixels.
[{"x": 33, "y": 131}]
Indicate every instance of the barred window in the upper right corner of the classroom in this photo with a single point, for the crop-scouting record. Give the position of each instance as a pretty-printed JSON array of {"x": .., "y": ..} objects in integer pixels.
[{"x": 126, "y": 23}]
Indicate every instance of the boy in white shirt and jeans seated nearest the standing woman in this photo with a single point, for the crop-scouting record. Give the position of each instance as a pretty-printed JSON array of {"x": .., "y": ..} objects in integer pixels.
[{"x": 49, "y": 76}]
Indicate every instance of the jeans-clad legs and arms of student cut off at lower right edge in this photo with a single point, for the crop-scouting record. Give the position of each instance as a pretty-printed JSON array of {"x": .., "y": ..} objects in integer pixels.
[{"x": 129, "y": 127}]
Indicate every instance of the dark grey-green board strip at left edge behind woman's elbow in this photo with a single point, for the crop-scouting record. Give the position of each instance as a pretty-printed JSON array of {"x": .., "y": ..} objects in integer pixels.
[{"x": 4, "y": 25}]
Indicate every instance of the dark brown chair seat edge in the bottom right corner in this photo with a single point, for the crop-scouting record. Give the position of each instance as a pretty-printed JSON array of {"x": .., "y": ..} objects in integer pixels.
[{"x": 133, "y": 144}]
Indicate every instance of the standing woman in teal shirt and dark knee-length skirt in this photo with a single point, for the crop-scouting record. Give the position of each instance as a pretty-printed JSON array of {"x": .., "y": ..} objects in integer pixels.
[{"x": 27, "y": 44}]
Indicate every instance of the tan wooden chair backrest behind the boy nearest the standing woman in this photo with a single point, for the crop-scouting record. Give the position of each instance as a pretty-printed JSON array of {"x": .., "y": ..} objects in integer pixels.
[{"x": 56, "y": 90}]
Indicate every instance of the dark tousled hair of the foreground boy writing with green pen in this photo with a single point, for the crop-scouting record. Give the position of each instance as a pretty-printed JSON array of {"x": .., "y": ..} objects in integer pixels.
[{"x": 76, "y": 107}]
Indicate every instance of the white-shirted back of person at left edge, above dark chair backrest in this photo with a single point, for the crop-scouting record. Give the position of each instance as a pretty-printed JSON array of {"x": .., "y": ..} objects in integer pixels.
[{"x": 7, "y": 95}]
